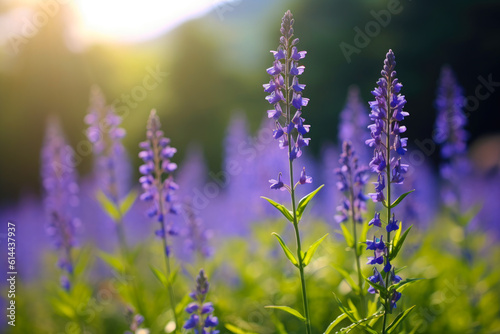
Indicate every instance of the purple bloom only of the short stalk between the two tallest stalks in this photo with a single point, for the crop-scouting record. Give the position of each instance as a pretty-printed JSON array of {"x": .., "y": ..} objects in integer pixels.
[{"x": 352, "y": 179}]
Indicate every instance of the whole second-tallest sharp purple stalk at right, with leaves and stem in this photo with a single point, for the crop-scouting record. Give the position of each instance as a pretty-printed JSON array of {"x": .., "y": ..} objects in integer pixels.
[{"x": 388, "y": 145}]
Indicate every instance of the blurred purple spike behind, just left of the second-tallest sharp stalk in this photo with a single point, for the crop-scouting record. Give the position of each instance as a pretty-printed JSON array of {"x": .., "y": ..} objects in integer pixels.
[{"x": 353, "y": 122}]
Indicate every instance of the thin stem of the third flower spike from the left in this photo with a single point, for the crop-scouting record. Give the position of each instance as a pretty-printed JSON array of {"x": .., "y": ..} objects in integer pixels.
[{"x": 159, "y": 182}]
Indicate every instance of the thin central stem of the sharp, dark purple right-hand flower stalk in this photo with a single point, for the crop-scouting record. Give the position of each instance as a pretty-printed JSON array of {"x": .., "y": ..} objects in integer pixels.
[{"x": 388, "y": 176}]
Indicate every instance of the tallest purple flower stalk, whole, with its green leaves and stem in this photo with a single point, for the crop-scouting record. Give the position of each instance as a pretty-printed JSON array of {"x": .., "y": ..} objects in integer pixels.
[{"x": 285, "y": 93}]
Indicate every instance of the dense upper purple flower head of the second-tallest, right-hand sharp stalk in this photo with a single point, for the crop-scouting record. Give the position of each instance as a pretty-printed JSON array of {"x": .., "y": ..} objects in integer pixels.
[{"x": 387, "y": 143}]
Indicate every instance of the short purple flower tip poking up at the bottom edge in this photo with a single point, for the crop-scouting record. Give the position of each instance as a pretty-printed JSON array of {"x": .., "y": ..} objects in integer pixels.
[{"x": 201, "y": 318}]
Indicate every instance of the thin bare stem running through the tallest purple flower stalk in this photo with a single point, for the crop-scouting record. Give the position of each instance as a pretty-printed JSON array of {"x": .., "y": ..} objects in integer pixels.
[{"x": 292, "y": 192}]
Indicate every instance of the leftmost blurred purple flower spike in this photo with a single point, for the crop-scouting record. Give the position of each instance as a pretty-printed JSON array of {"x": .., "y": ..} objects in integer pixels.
[{"x": 61, "y": 196}]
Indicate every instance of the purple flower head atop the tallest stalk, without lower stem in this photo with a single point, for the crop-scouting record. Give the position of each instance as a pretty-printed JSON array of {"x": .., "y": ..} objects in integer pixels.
[{"x": 284, "y": 94}]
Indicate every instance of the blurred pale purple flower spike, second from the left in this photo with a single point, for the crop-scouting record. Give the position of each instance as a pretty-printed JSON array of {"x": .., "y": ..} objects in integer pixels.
[{"x": 111, "y": 161}]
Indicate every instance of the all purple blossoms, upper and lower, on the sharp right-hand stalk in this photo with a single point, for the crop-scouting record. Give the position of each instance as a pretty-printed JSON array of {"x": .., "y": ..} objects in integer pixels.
[{"x": 388, "y": 147}]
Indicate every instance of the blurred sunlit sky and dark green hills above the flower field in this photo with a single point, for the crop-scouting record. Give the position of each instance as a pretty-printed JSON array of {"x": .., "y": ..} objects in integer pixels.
[{"x": 211, "y": 57}]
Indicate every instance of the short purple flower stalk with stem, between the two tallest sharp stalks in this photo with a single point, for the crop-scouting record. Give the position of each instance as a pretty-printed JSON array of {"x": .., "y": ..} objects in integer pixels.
[{"x": 352, "y": 179}]
